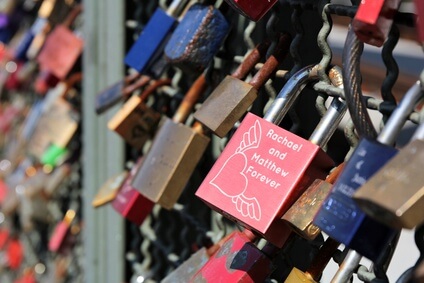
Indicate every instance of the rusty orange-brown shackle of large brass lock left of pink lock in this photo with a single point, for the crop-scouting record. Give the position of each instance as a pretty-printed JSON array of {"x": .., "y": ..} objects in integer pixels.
[{"x": 190, "y": 99}]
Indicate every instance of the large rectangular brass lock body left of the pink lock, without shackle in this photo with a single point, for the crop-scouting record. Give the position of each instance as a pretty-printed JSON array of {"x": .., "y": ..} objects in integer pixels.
[{"x": 170, "y": 162}]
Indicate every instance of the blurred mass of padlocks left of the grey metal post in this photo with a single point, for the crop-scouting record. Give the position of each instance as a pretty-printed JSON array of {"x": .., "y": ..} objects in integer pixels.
[{"x": 40, "y": 110}]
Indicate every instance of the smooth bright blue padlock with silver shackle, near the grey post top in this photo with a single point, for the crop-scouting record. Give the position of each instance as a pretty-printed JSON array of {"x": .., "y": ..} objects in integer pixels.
[{"x": 151, "y": 42}]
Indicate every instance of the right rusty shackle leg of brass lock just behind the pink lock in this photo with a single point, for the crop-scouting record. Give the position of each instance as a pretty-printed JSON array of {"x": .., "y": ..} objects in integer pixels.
[{"x": 271, "y": 65}]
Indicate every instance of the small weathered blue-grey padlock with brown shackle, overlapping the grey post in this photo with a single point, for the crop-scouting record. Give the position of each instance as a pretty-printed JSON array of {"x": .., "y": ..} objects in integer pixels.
[{"x": 118, "y": 91}]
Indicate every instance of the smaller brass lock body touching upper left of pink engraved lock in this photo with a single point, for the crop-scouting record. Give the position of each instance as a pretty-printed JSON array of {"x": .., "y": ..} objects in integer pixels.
[{"x": 226, "y": 105}]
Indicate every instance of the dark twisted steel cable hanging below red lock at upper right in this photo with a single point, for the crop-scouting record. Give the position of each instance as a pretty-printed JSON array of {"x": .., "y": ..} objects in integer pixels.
[{"x": 352, "y": 82}]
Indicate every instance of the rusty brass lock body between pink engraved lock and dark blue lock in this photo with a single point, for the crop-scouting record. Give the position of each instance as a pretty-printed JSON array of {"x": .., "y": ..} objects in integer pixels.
[{"x": 301, "y": 214}]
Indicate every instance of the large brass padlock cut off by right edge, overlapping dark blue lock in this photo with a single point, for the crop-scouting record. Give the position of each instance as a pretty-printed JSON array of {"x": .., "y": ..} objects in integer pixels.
[{"x": 394, "y": 195}]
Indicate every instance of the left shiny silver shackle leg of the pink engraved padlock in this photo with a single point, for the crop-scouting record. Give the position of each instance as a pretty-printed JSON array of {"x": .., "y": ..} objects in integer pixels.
[{"x": 289, "y": 93}]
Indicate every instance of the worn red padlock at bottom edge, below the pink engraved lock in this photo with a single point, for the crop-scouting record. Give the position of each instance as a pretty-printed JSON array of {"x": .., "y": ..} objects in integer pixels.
[{"x": 238, "y": 260}]
